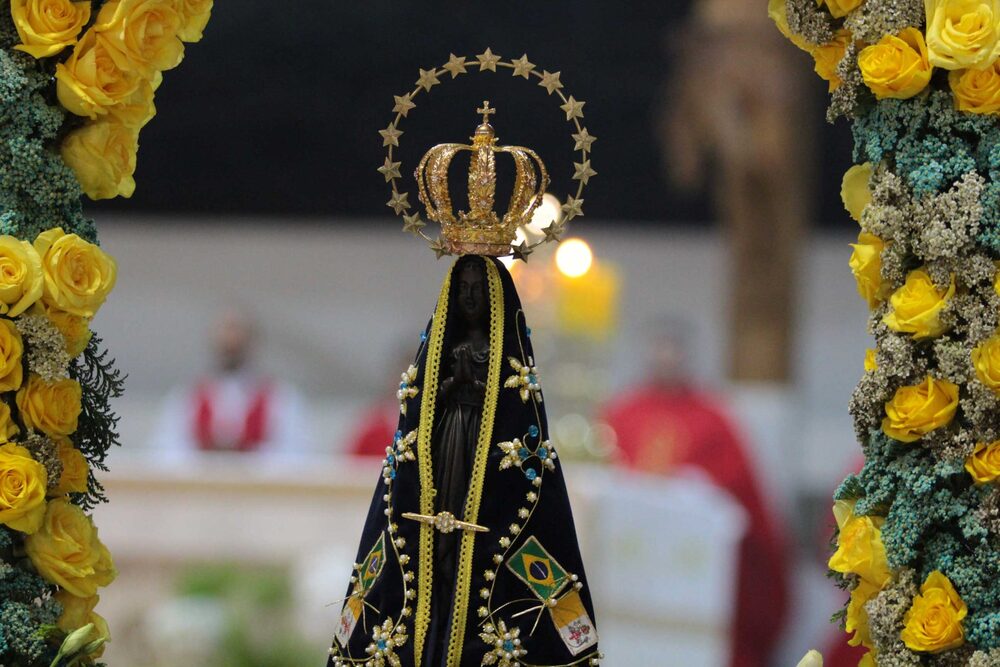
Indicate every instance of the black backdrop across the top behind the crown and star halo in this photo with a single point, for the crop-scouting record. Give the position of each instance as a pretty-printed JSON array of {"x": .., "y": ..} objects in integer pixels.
[{"x": 277, "y": 110}]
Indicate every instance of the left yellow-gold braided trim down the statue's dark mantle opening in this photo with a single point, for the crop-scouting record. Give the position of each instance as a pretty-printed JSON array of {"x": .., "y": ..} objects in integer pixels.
[{"x": 426, "y": 553}]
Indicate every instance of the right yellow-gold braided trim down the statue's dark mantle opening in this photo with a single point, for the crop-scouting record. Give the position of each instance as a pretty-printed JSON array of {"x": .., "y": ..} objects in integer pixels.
[{"x": 463, "y": 577}]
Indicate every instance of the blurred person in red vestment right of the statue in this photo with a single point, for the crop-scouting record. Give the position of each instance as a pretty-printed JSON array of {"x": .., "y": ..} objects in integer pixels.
[{"x": 666, "y": 423}]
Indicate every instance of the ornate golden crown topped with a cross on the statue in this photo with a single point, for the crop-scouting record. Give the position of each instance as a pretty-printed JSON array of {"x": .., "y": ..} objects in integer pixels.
[{"x": 481, "y": 231}]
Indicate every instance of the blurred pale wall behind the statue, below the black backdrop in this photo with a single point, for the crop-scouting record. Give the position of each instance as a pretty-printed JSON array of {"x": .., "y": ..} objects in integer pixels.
[{"x": 336, "y": 301}]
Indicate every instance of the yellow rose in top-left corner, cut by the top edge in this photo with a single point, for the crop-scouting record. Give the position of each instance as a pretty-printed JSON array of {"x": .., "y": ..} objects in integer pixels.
[{"x": 46, "y": 27}]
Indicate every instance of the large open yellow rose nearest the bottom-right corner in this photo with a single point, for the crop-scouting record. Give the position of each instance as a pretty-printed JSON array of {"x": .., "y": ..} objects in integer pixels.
[{"x": 934, "y": 621}]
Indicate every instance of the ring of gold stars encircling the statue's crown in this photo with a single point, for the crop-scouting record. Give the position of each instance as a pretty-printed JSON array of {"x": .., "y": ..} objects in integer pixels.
[{"x": 488, "y": 62}]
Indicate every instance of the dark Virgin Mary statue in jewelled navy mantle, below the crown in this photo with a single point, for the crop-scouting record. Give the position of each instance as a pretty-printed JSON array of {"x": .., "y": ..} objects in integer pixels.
[{"x": 469, "y": 555}]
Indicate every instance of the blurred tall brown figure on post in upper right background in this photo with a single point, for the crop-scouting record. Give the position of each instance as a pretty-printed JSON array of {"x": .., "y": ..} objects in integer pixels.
[{"x": 733, "y": 117}]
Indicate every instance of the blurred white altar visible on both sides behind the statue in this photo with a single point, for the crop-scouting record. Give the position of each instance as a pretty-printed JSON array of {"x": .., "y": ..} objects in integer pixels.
[{"x": 660, "y": 554}]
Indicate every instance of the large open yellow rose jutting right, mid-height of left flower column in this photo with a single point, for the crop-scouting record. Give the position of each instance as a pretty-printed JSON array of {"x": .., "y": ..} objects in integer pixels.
[{"x": 78, "y": 274}]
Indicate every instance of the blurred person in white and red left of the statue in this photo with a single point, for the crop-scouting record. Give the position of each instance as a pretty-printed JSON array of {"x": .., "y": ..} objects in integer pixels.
[{"x": 235, "y": 408}]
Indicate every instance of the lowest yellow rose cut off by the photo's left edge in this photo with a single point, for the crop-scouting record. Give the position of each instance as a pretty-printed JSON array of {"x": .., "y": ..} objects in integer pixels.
[{"x": 22, "y": 489}]
